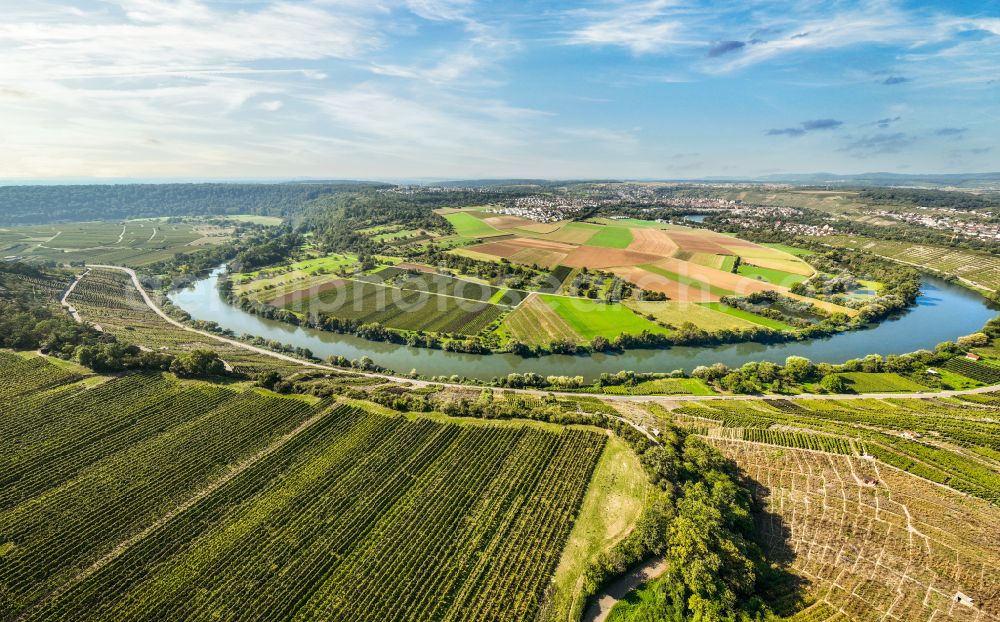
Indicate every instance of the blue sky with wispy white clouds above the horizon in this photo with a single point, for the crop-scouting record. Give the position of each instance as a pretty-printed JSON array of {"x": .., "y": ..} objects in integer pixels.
[{"x": 395, "y": 89}]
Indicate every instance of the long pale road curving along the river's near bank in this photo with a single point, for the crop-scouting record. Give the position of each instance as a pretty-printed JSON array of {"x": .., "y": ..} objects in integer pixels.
[{"x": 610, "y": 398}]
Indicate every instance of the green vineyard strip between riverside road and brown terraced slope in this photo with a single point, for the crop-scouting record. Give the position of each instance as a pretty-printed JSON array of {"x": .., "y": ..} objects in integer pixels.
[{"x": 947, "y": 441}]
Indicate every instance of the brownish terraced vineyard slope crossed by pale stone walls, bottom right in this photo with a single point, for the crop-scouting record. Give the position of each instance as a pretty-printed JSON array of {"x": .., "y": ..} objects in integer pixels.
[{"x": 870, "y": 542}]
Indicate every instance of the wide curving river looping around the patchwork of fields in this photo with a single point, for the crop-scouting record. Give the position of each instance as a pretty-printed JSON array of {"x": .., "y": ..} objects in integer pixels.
[{"x": 944, "y": 311}]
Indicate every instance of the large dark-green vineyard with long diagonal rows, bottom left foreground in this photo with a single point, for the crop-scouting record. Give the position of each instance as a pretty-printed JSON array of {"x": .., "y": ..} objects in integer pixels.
[{"x": 234, "y": 504}]
